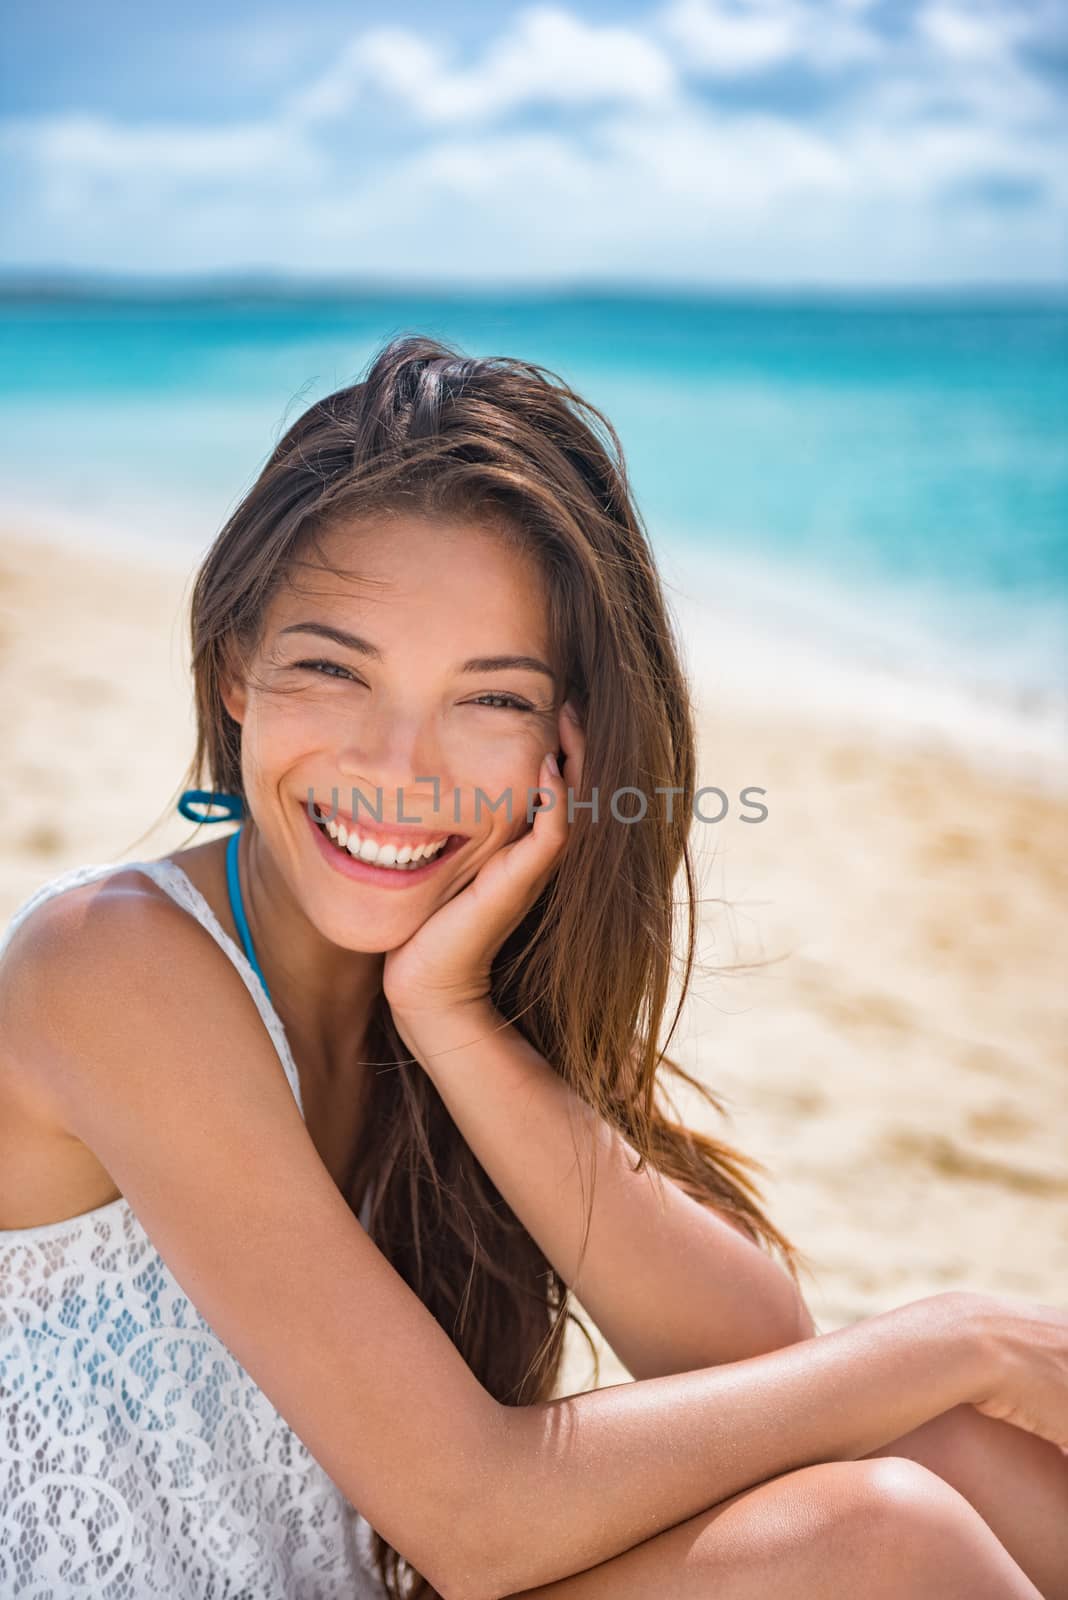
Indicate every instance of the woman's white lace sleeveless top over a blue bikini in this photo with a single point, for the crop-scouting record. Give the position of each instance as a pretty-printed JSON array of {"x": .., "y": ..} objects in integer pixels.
[{"x": 137, "y": 1455}]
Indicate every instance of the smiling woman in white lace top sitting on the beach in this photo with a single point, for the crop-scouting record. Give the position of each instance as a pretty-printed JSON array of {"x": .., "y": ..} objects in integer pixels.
[{"x": 424, "y": 646}]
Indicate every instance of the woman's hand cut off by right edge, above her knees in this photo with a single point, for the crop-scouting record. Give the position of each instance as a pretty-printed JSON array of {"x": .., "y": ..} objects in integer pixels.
[{"x": 1027, "y": 1354}]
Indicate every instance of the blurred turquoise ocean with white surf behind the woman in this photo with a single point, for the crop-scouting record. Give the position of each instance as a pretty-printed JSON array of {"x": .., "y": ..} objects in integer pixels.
[{"x": 861, "y": 498}]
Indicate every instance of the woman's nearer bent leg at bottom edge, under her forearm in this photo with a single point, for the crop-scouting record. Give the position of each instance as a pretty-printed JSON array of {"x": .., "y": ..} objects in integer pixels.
[{"x": 887, "y": 1529}]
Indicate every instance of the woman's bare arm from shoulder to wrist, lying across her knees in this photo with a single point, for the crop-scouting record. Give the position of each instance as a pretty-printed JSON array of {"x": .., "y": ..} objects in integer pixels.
[{"x": 151, "y": 1052}]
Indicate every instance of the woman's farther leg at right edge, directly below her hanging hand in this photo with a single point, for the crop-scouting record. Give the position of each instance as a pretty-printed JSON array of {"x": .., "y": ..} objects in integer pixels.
[{"x": 1016, "y": 1481}]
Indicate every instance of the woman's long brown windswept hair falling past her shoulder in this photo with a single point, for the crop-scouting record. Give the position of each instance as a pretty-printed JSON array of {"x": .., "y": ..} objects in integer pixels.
[{"x": 588, "y": 975}]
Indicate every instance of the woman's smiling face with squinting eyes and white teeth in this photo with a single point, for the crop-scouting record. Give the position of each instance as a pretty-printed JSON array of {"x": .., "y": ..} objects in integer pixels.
[{"x": 385, "y": 681}]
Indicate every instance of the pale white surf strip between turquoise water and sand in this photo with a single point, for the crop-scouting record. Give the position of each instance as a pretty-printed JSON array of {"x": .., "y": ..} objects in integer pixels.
[{"x": 757, "y": 642}]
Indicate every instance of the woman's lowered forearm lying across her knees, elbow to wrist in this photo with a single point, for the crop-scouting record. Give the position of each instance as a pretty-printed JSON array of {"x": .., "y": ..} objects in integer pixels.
[{"x": 576, "y": 1481}]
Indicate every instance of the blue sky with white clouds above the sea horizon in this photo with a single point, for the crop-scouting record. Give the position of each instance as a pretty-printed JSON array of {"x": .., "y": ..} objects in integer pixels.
[{"x": 859, "y": 143}]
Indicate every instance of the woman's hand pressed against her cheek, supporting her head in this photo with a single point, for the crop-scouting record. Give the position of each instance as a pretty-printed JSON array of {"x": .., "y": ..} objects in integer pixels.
[{"x": 447, "y": 962}]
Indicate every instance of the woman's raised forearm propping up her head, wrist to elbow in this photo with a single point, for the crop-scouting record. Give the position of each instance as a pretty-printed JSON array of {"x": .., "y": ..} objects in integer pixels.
[{"x": 669, "y": 1282}]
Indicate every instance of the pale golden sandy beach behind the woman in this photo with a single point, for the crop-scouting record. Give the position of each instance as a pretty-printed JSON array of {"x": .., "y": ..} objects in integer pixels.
[{"x": 901, "y": 1062}]
